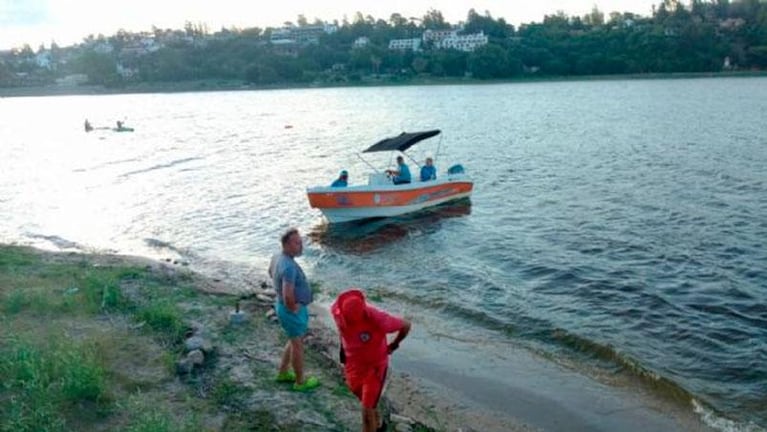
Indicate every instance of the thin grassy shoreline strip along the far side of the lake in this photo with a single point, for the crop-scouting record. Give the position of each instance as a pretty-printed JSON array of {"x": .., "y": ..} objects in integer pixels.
[{"x": 237, "y": 85}]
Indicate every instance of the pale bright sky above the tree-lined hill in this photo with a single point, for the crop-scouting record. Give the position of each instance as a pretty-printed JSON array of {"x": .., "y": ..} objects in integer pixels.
[{"x": 69, "y": 21}]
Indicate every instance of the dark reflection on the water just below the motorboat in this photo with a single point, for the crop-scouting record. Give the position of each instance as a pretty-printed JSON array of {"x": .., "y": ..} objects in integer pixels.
[{"x": 360, "y": 237}]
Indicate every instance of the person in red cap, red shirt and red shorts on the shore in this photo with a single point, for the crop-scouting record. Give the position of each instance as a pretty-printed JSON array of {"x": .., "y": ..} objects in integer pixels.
[{"x": 365, "y": 350}]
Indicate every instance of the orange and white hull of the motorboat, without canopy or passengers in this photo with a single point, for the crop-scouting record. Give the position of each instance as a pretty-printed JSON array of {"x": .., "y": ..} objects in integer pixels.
[{"x": 364, "y": 202}]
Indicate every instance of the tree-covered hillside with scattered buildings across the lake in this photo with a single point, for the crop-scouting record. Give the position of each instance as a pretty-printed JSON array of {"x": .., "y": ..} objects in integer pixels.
[{"x": 695, "y": 37}]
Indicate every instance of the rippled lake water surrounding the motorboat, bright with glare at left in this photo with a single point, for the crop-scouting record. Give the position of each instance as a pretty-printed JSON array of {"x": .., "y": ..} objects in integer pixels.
[{"x": 616, "y": 226}]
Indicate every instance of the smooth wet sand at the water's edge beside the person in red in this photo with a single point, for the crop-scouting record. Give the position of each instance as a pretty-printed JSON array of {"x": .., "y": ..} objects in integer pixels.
[{"x": 470, "y": 383}]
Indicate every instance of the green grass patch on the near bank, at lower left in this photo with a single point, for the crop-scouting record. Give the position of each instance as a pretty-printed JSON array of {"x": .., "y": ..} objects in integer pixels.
[{"x": 57, "y": 374}]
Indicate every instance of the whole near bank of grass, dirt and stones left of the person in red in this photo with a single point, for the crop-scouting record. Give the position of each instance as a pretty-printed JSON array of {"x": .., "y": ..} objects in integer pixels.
[{"x": 92, "y": 343}]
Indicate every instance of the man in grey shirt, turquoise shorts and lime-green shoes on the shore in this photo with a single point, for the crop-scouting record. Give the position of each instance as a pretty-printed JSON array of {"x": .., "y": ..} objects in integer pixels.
[{"x": 293, "y": 297}]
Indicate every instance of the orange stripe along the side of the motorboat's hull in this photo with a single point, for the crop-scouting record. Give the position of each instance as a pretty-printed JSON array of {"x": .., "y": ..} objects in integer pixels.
[{"x": 387, "y": 198}]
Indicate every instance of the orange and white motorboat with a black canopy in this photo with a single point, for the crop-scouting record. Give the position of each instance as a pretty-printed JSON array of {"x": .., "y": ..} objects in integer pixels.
[{"x": 380, "y": 197}]
